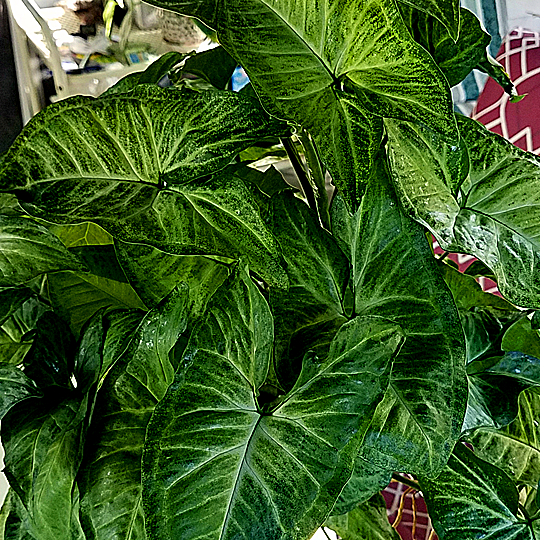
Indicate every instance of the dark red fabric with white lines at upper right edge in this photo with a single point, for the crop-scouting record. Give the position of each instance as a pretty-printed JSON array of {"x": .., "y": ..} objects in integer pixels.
[{"x": 518, "y": 122}]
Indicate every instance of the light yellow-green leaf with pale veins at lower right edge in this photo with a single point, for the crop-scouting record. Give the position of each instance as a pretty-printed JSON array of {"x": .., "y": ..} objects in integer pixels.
[{"x": 516, "y": 447}]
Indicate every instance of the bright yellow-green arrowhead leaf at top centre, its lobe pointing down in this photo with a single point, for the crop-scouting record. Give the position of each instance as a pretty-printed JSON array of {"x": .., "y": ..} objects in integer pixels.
[{"x": 298, "y": 54}]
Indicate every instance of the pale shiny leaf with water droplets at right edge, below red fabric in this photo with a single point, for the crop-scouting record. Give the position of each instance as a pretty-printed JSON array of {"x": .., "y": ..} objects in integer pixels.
[{"x": 497, "y": 219}]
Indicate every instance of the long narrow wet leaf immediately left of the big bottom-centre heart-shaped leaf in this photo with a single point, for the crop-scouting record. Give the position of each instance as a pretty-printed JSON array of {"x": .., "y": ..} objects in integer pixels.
[{"x": 110, "y": 476}]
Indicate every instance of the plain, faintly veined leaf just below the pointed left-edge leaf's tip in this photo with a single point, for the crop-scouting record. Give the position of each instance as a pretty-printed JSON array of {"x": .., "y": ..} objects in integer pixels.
[{"x": 77, "y": 297}]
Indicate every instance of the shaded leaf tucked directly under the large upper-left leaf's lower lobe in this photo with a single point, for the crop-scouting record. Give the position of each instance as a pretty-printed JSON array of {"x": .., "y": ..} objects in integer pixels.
[{"x": 154, "y": 273}]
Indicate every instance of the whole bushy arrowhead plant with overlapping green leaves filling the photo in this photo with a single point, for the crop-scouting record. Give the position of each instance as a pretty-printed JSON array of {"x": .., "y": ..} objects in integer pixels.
[{"x": 192, "y": 348}]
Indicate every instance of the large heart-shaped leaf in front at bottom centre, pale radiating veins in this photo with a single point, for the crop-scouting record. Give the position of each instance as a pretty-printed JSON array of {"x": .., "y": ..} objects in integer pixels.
[{"x": 271, "y": 469}]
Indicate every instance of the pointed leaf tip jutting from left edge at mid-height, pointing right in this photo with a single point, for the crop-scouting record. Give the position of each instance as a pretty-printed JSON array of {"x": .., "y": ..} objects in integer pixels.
[{"x": 28, "y": 250}]
